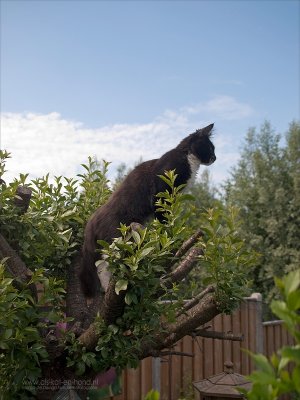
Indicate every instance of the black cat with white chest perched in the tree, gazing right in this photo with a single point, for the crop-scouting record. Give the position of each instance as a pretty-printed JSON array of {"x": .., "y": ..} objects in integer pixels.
[{"x": 134, "y": 200}]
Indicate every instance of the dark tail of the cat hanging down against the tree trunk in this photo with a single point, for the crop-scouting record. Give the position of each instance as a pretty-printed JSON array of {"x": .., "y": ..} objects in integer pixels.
[{"x": 88, "y": 274}]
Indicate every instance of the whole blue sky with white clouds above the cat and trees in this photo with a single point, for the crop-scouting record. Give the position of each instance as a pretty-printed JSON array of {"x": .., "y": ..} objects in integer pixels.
[{"x": 128, "y": 79}]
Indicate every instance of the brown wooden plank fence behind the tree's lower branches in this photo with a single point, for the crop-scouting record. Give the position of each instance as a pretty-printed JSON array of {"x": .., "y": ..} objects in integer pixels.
[{"x": 172, "y": 376}]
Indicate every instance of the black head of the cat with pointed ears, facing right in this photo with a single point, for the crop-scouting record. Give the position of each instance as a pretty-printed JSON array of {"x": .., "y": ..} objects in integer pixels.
[{"x": 200, "y": 145}]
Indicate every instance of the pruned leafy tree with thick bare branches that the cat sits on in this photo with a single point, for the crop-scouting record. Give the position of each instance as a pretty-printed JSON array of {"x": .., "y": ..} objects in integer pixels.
[{"x": 49, "y": 334}]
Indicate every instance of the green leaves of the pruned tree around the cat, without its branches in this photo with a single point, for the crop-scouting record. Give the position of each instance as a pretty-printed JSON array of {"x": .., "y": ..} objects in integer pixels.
[{"x": 48, "y": 235}]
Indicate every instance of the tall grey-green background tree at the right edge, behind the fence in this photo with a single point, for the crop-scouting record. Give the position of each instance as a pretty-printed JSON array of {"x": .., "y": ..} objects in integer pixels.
[{"x": 265, "y": 186}]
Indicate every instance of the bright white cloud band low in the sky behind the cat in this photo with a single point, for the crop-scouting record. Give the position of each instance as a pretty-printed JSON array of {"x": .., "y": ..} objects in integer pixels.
[{"x": 49, "y": 143}]
